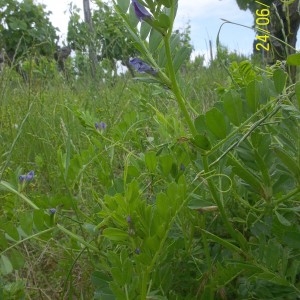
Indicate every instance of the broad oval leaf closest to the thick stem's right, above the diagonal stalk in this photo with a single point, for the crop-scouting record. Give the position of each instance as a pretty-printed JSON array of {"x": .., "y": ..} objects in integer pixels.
[{"x": 215, "y": 122}]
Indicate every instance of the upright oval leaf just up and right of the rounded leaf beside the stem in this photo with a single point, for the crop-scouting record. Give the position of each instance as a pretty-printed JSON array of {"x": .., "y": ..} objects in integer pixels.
[{"x": 233, "y": 107}]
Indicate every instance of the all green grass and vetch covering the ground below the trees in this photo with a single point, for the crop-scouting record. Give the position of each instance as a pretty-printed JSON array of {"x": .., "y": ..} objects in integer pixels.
[{"x": 181, "y": 183}]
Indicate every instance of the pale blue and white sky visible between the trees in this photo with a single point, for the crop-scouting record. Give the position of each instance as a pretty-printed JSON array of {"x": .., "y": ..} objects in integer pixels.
[{"x": 204, "y": 17}]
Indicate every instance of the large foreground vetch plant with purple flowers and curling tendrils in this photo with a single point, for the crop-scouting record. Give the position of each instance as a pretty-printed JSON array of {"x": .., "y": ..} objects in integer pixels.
[{"x": 210, "y": 214}]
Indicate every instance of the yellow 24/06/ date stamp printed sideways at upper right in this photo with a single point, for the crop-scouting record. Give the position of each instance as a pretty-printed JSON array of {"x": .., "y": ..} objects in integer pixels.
[{"x": 262, "y": 21}]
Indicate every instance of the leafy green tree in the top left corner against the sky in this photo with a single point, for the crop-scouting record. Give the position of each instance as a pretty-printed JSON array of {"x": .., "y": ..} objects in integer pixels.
[{"x": 25, "y": 30}]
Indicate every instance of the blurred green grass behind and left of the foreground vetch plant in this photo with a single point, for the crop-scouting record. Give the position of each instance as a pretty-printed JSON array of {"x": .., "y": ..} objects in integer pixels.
[{"x": 47, "y": 125}]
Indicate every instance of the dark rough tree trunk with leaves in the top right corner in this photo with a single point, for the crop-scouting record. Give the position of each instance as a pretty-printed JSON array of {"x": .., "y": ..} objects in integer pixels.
[{"x": 283, "y": 24}]
